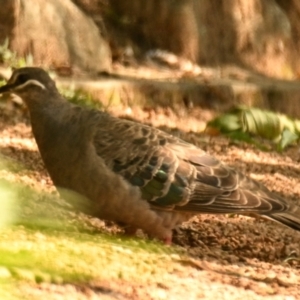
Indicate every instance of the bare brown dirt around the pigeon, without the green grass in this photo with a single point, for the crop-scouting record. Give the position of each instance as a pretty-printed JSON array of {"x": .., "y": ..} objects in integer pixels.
[{"x": 226, "y": 256}]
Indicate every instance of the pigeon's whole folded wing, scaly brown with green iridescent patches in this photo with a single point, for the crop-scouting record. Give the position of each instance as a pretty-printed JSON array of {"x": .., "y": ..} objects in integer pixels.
[{"x": 173, "y": 174}]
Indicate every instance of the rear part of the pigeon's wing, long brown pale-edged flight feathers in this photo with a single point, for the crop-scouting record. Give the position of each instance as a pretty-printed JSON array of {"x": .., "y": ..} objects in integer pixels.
[{"x": 221, "y": 189}]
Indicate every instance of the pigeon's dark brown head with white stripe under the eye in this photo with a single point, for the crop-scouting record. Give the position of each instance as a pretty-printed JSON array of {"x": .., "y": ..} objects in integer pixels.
[{"x": 27, "y": 81}]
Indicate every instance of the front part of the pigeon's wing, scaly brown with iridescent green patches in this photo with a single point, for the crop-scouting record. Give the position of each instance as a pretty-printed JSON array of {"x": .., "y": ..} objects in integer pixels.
[{"x": 140, "y": 154}]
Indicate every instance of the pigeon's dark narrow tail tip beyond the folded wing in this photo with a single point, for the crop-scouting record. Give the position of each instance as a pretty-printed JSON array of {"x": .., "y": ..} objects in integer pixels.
[{"x": 290, "y": 217}]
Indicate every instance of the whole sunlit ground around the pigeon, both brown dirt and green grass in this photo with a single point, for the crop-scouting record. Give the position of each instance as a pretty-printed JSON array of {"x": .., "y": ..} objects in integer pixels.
[{"x": 51, "y": 251}]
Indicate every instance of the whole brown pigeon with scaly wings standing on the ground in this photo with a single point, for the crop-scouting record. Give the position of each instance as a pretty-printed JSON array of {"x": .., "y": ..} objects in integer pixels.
[{"x": 132, "y": 173}]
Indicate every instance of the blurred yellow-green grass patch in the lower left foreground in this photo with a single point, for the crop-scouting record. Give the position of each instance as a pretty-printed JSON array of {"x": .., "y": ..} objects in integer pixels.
[{"x": 48, "y": 245}]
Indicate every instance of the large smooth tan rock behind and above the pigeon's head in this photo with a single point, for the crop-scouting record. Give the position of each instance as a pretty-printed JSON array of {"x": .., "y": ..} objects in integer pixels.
[{"x": 56, "y": 33}]
